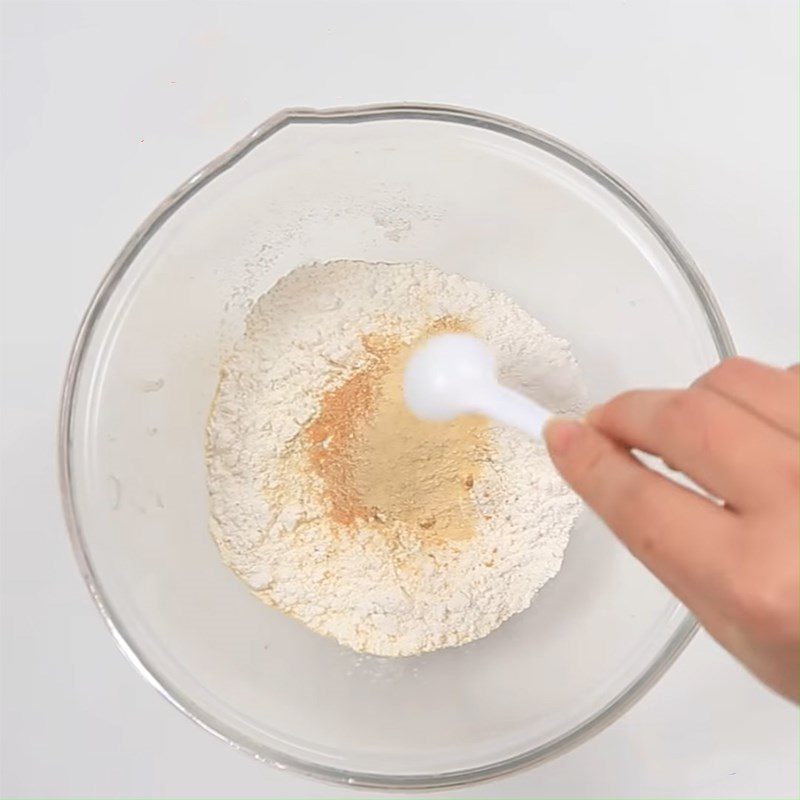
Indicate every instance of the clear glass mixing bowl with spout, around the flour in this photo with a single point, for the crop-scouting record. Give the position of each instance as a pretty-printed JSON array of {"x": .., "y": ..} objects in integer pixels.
[{"x": 470, "y": 193}]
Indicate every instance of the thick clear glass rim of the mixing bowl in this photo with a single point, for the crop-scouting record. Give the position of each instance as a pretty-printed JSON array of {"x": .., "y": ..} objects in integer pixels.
[{"x": 614, "y": 708}]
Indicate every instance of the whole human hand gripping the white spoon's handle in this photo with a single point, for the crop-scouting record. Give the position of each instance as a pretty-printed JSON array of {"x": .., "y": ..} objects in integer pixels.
[{"x": 735, "y": 432}]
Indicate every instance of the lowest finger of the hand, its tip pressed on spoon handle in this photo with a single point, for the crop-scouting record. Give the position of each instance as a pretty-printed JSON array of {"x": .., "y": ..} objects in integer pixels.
[{"x": 658, "y": 520}]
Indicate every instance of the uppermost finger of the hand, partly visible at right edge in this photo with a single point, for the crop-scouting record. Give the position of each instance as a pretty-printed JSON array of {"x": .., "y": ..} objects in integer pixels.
[{"x": 773, "y": 394}]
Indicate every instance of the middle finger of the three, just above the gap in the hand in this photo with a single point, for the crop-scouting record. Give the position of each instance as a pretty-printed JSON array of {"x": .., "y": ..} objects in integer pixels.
[{"x": 733, "y": 454}]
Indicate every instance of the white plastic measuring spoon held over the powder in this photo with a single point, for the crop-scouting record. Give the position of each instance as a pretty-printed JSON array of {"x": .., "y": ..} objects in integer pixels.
[{"x": 453, "y": 374}]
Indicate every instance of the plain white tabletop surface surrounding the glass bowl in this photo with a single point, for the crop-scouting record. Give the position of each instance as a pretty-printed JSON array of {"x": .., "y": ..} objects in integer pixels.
[{"x": 108, "y": 106}]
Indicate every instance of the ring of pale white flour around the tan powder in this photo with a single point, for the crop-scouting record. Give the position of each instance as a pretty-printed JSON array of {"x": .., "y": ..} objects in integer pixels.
[{"x": 382, "y": 585}]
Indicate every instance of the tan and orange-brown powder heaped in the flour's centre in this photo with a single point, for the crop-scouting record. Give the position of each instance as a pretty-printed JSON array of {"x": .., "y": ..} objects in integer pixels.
[{"x": 380, "y": 463}]
